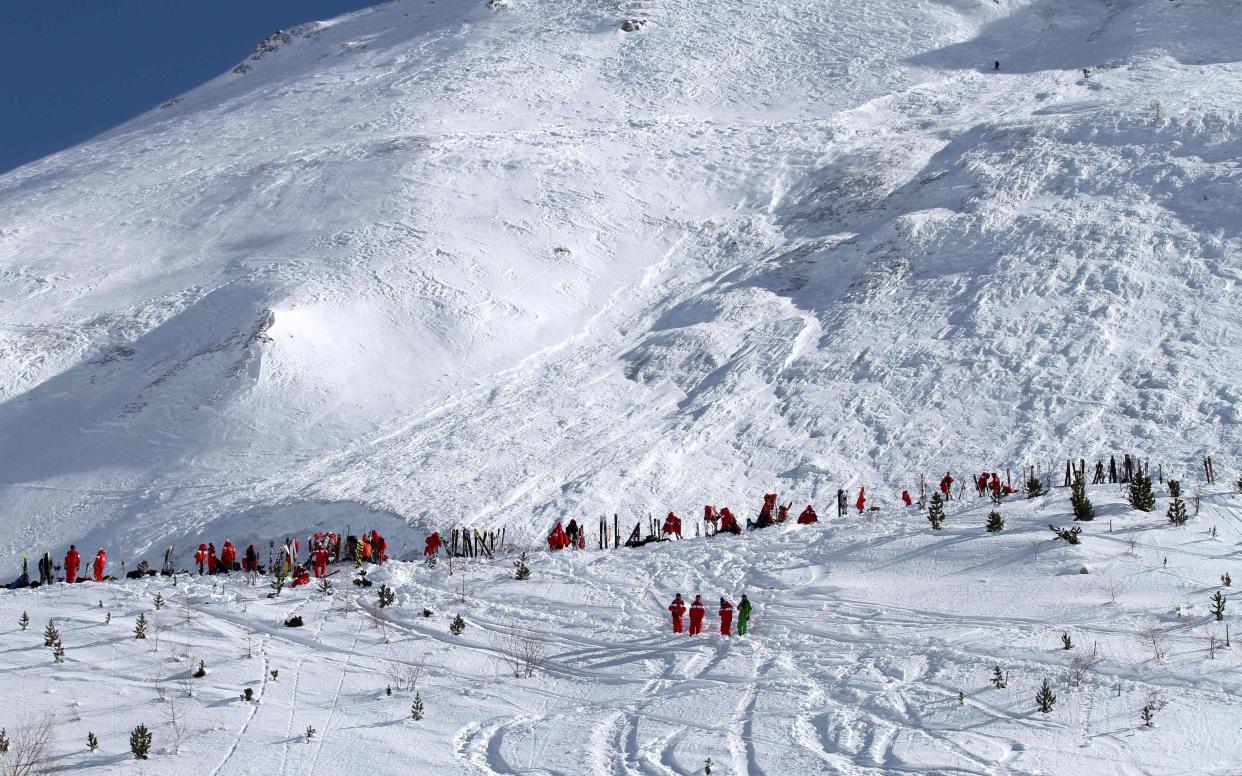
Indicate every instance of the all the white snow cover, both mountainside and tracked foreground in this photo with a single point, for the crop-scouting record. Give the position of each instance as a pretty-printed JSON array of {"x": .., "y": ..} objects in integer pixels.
[{"x": 439, "y": 264}]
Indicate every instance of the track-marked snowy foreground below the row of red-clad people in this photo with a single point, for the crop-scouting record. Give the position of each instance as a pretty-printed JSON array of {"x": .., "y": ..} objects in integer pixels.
[{"x": 877, "y": 646}]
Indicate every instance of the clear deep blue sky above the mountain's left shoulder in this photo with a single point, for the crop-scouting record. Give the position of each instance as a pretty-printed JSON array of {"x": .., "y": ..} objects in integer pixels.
[{"x": 73, "y": 69}]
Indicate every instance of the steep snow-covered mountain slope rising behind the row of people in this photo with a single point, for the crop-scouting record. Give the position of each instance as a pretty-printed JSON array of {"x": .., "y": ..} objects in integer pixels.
[{"x": 463, "y": 265}]
